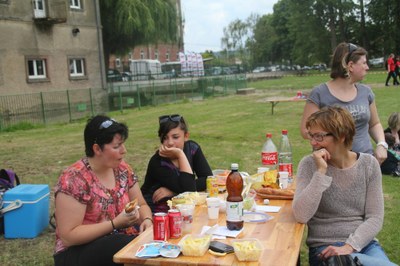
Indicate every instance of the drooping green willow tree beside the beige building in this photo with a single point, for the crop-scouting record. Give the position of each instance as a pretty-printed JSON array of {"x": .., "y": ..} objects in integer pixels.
[{"x": 127, "y": 23}]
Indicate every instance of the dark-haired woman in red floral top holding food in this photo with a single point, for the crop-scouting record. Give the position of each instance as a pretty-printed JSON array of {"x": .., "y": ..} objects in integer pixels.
[{"x": 90, "y": 198}]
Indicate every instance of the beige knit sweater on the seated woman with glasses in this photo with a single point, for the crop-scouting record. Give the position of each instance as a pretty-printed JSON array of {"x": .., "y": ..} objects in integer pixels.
[{"x": 345, "y": 205}]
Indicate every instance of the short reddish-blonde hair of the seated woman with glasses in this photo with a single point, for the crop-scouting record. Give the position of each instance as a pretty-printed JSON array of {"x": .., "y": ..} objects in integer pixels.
[{"x": 335, "y": 120}]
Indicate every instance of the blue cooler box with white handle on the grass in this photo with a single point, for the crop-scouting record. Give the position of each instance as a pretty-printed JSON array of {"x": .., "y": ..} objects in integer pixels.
[{"x": 26, "y": 210}]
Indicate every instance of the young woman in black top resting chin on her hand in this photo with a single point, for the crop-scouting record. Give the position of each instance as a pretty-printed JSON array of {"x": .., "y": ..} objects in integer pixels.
[{"x": 175, "y": 165}]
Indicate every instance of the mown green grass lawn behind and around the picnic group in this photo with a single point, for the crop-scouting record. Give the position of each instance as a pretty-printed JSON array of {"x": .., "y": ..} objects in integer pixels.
[{"x": 229, "y": 129}]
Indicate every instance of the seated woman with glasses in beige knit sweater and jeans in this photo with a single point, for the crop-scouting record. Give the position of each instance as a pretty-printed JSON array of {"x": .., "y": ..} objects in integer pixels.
[{"x": 339, "y": 192}]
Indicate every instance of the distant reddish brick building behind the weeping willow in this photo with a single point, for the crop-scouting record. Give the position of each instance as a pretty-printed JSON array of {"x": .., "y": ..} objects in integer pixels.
[{"x": 163, "y": 52}]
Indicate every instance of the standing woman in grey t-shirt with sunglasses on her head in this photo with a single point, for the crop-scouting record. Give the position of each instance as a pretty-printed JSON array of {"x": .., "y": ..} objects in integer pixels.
[{"x": 349, "y": 67}]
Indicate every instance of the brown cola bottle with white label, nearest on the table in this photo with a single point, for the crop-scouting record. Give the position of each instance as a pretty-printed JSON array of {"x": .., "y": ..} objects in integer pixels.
[{"x": 234, "y": 201}]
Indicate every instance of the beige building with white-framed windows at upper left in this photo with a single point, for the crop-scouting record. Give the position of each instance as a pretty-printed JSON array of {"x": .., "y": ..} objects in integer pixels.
[{"x": 49, "y": 45}]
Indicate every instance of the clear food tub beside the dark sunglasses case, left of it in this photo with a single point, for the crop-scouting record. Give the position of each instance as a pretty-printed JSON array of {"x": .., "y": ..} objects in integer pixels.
[{"x": 195, "y": 245}]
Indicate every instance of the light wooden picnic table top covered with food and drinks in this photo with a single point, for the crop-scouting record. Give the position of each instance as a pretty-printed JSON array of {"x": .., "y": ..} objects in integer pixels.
[{"x": 281, "y": 238}]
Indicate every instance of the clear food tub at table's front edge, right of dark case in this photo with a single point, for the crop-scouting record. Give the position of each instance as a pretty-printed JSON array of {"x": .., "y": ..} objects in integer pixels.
[{"x": 249, "y": 249}]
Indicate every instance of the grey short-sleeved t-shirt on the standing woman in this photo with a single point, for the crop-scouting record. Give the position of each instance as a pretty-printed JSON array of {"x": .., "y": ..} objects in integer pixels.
[{"x": 358, "y": 107}]
